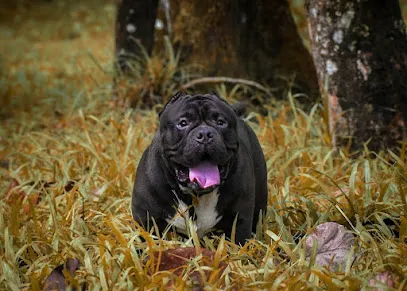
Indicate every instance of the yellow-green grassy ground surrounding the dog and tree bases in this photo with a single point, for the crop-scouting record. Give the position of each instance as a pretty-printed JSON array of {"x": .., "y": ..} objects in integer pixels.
[{"x": 68, "y": 156}]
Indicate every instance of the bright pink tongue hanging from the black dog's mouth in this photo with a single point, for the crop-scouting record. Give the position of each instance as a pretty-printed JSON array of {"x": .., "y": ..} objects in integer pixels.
[{"x": 206, "y": 174}]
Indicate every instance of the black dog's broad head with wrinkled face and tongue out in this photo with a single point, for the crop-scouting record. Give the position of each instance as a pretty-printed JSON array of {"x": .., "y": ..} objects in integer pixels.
[{"x": 199, "y": 140}]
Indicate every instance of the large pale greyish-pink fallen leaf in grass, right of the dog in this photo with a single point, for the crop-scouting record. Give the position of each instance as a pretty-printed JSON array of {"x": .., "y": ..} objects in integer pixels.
[{"x": 334, "y": 243}]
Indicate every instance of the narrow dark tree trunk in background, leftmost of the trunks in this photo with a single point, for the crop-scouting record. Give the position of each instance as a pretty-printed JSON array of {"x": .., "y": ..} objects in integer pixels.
[{"x": 134, "y": 29}]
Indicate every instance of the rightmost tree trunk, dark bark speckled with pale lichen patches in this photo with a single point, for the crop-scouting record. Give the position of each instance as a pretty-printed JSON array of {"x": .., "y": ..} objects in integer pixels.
[{"x": 360, "y": 53}]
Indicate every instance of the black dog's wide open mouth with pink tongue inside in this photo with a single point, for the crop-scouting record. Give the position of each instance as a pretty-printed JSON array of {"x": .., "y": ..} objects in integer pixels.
[{"x": 203, "y": 177}]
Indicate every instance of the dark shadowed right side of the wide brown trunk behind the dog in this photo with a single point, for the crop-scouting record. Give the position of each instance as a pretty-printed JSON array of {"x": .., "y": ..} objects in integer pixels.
[{"x": 271, "y": 48}]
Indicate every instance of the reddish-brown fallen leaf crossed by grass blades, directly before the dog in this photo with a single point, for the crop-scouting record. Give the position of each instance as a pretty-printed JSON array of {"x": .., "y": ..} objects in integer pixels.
[{"x": 176, "y": 260}]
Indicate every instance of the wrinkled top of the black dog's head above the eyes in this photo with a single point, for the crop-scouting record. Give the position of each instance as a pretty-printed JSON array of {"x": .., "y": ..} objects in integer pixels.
[{"x": 181, "y": 100}]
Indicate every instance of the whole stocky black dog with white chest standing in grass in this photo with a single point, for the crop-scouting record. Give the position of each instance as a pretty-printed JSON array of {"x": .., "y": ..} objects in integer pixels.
[{"x": 204, "y": 164}]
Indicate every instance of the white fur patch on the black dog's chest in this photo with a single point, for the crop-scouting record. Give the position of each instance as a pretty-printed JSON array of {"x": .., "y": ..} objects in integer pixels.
[{"x": 206, "y": 216}]
